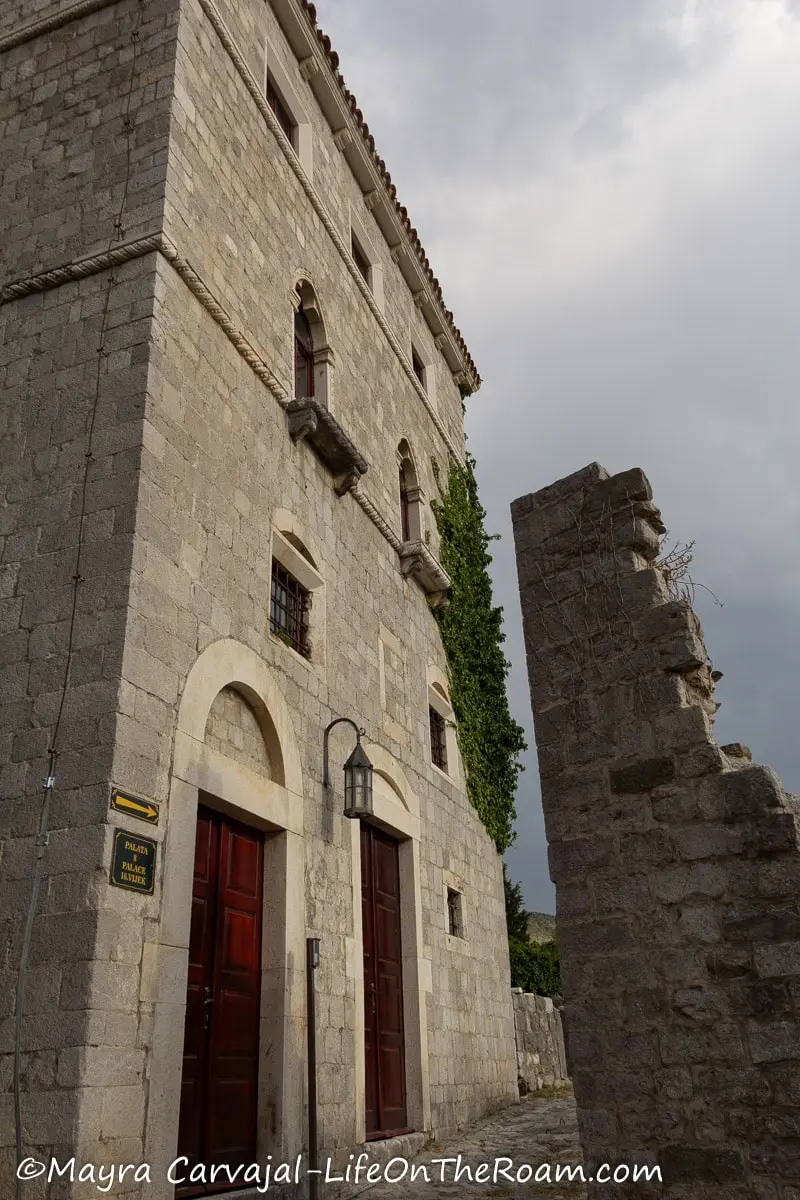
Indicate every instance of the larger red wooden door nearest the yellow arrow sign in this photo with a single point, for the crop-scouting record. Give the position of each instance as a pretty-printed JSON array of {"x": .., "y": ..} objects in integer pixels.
[{"x": 220, "y": 1083}]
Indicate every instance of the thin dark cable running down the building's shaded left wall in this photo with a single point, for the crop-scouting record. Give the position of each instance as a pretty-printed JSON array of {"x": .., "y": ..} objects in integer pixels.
[{"x": 49, "y": 785}]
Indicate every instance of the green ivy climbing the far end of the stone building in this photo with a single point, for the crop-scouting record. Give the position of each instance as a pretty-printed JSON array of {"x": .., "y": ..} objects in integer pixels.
[{"x": 472, "y": 632}]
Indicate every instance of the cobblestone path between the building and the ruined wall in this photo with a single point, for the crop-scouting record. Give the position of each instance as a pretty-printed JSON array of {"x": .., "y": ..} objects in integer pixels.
[{"x": 537, "y": 1131}]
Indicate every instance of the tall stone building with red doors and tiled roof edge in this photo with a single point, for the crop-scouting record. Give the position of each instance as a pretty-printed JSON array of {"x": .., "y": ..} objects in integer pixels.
[{"x": 227, "y": 368}]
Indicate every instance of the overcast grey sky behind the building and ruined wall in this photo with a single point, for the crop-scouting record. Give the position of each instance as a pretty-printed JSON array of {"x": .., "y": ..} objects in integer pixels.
[{"x": 610, "y": 194}]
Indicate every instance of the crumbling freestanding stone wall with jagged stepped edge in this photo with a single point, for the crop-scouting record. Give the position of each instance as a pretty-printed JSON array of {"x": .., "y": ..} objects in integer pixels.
[{"x": 676, "y": 862}]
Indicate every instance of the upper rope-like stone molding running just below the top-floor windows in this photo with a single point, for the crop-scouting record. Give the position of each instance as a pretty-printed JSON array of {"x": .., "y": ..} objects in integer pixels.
[{"x": 260, "y": 100}]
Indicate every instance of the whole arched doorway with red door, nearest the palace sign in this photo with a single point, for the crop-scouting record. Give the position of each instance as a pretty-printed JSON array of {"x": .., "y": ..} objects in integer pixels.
[{"x": 234, "y": 878}]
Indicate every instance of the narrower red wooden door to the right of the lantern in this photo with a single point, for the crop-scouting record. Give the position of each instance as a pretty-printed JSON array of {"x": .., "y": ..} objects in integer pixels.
[{"x": 383, "y": 981}]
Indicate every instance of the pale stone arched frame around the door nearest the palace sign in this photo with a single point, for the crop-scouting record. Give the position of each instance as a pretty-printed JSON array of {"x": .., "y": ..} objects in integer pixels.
[{"x": 275, "y": 806}]
